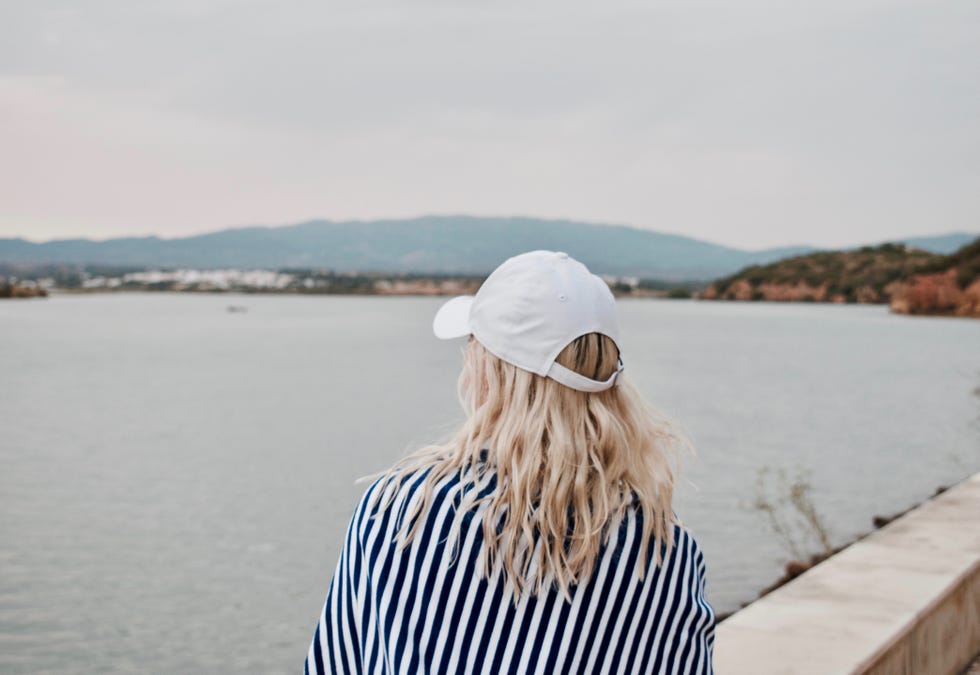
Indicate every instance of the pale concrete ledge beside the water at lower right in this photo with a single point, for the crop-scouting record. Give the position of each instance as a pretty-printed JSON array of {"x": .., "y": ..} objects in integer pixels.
[{"x": 905, "y": 599}]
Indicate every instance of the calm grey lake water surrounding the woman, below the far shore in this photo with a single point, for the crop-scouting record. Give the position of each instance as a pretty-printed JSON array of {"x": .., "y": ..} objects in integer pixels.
[{"x": 175, "y": 479}]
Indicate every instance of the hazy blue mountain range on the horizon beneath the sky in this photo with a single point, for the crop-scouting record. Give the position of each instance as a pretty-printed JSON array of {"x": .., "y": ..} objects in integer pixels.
[{"x": 427, "y": 245}]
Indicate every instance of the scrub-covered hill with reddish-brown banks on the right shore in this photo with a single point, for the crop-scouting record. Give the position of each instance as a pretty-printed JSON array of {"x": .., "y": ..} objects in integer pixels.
[{"x": 913, "y": 280}]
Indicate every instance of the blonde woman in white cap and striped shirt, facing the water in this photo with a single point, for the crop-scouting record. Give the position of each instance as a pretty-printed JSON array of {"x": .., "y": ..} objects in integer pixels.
[{"x": 540, "y": 538}]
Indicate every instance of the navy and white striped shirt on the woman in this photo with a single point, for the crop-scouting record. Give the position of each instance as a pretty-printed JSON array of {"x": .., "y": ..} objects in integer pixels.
[{"x": 427, "y": 608}]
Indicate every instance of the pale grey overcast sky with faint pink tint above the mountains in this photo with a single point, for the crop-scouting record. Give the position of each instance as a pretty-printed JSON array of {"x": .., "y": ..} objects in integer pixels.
[{"x": 750, "y": 123}]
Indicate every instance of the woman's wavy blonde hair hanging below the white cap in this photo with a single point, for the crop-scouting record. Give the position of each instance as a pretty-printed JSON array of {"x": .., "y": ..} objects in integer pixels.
[{"x": 568, "y": 465}]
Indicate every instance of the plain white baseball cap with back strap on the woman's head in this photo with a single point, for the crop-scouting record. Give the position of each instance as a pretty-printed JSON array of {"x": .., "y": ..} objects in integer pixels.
[{"x": 529, "y": 309}]
